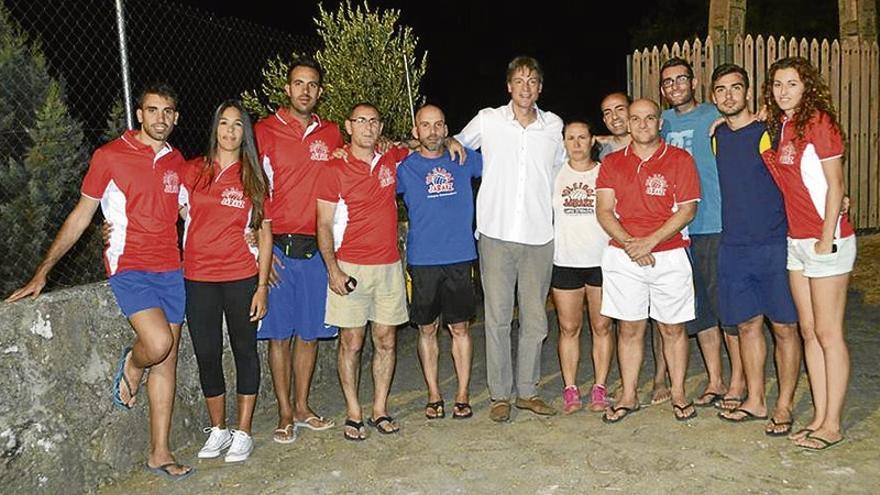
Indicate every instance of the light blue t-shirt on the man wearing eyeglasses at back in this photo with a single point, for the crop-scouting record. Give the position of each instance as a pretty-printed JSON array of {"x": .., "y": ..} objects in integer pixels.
[{"x": 690, "y": 131}]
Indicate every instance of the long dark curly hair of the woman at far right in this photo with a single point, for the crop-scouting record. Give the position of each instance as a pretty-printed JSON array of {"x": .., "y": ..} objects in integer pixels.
[{"x": 816, "y": 98}]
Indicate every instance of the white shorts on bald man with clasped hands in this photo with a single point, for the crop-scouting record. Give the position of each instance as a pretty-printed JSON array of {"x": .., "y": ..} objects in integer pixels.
[{"x": 665, "y": 291}]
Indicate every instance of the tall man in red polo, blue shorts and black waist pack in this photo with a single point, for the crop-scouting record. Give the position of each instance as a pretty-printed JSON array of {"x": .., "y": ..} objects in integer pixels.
[{"x": 294, "y": 146}]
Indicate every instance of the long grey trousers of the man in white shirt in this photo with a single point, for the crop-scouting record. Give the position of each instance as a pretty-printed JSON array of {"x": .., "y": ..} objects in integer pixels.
[{"x": 505, "y": 266}]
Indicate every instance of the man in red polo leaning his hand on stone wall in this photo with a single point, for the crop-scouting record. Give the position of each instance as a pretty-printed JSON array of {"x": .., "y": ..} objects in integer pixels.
[{"x": 136, "y": 181}]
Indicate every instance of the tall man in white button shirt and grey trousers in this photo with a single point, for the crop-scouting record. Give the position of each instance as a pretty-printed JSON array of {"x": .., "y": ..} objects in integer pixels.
[{"x": 522, "y": 151}]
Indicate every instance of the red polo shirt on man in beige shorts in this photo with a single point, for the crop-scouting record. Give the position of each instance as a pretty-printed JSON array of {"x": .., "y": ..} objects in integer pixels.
[{"x": 366, "y": 216}]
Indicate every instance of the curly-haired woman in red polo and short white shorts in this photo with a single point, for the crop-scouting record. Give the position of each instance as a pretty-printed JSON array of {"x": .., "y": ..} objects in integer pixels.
[{"x": 806, "y": 161}]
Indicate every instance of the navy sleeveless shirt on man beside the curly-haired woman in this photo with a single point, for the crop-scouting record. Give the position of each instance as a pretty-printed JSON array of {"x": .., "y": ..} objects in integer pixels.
[{"x": 752, "y": 204}]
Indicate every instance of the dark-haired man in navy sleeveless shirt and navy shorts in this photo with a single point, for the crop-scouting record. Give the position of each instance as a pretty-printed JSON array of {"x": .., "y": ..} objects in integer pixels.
[{"x": 752, "y": 275}]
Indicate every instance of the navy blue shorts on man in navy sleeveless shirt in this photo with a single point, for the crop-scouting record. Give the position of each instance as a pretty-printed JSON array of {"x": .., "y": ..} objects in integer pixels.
[{"x": 754, "y": 281}]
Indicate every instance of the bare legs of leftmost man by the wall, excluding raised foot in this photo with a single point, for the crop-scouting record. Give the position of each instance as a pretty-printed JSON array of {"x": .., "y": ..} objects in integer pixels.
[{"x": 156, "y": 347}]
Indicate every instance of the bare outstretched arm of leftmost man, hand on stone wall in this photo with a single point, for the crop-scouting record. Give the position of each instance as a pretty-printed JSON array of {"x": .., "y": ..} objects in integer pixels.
[{"x": 72, "y": 229}]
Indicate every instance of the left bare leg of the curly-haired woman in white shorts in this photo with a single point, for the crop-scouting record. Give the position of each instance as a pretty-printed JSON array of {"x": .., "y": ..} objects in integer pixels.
[{"x": 813, "y": 354}]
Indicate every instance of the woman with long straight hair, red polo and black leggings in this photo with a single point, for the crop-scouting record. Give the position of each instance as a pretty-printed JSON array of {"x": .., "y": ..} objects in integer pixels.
[{"x": 223, "y": 196}]
